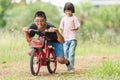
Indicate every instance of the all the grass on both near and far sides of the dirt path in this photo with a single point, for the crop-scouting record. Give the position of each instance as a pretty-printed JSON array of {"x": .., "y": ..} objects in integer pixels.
[{"x": 13, "y": 48}]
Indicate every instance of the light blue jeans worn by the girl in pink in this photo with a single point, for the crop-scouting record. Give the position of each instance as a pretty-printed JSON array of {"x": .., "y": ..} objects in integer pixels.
[{"x": 69, "y": 50}]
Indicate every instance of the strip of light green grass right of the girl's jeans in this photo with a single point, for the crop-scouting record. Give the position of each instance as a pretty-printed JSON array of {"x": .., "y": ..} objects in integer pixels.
[{"x": 89, "y": 48}]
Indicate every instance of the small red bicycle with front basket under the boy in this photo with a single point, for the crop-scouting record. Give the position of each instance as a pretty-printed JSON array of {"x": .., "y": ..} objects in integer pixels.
[{"x": 43, "y": 54}]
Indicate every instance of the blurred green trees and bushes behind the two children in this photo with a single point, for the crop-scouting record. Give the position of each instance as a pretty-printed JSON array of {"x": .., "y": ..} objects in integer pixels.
[{"x": 99, "y": 24}]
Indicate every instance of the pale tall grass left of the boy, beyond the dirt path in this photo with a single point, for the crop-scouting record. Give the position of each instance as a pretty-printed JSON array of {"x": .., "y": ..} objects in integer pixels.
[{"x": 13, "y": 47}]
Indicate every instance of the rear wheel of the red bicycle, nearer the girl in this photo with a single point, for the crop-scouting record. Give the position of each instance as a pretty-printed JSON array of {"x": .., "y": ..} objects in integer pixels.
[{"x": 52, "y": 62}]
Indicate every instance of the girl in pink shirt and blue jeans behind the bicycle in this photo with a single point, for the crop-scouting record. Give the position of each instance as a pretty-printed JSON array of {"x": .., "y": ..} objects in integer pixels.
[{"x": 69, "y": 25}]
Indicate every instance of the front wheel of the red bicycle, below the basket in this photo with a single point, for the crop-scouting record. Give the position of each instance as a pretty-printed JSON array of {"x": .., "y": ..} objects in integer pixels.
[{"x": 35, "y": 62}]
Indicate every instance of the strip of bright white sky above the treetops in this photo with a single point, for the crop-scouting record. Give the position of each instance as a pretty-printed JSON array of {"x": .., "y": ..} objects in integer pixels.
[{"x": 60, "y": 3}]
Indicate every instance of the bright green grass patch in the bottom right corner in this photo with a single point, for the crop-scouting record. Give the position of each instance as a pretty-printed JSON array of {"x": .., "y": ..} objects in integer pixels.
[{"x": 109, "y": 70}]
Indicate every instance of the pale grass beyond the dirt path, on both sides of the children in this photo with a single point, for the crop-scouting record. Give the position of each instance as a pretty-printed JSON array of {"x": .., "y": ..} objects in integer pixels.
[{"x": 13, "y": 47}]
